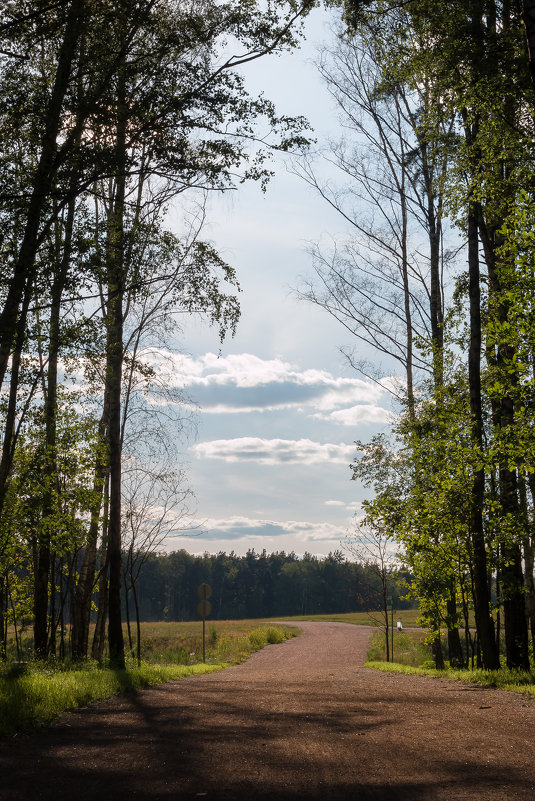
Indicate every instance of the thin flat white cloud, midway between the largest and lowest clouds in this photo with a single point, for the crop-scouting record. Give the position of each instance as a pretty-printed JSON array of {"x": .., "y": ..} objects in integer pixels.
[{"x": 274, "y": 451}]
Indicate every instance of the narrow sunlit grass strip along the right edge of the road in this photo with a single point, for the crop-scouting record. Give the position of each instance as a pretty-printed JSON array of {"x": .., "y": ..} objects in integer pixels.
[{"x": 515, "y": 681}]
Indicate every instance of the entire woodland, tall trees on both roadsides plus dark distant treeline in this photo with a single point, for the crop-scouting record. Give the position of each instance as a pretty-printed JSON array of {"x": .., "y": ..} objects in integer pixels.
[{"x": 111, "y": 113}]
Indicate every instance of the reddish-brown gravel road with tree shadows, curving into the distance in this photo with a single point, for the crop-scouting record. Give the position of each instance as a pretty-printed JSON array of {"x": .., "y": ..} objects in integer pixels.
[{"x": 301, "y": 720}]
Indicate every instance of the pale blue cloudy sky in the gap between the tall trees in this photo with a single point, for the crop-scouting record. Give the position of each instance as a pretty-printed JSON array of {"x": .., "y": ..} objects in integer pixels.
[{"x": 279, "y": 410}]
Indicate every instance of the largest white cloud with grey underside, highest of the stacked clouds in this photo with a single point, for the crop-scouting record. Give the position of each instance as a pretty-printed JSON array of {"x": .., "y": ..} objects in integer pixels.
[{"x": 246, "y": 383}]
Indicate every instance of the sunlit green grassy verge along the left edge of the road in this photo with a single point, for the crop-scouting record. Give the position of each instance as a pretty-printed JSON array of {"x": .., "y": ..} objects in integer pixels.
[{"x": 33, "y": 694}]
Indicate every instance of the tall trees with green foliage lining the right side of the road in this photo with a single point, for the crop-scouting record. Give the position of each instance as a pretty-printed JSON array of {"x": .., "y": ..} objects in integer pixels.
[{"x": 454, "y": 486}]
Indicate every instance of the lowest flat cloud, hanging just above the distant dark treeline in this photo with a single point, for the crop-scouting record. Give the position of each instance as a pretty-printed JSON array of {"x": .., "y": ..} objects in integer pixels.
[{"x": 244, "y": 528}]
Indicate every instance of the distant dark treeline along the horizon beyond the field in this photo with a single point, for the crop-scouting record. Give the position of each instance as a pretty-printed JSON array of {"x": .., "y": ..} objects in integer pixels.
[{"x": 256, "y": 585}]
